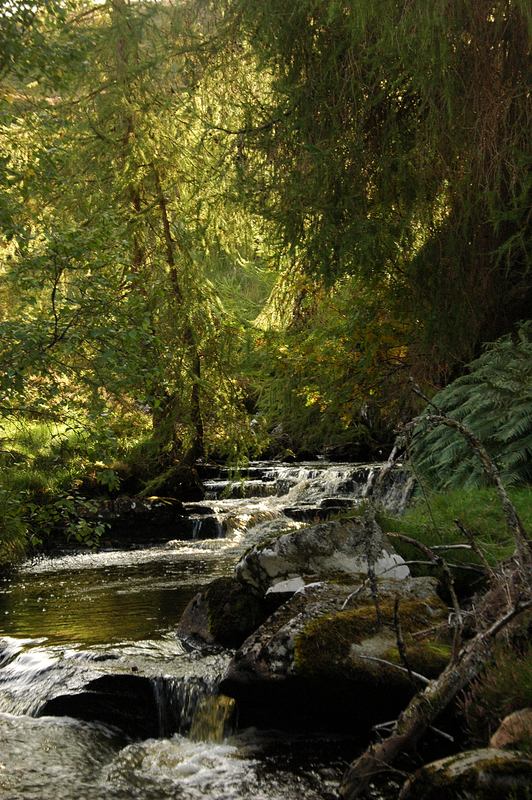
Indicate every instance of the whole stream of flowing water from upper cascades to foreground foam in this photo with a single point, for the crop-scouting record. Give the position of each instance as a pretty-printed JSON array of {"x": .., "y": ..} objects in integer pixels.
[{"x": 96, "y": 630}]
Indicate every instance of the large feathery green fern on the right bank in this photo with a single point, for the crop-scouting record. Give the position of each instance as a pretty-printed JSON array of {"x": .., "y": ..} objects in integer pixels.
[{"x": 494, "y": 401}]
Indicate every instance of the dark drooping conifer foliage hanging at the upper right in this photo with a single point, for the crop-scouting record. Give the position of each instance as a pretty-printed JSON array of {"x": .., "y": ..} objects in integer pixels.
[{"x": 376, "y": 154}]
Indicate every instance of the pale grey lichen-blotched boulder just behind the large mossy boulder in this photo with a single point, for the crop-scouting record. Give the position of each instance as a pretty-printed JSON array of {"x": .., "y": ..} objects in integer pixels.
[{"x": 323, "y": 551}]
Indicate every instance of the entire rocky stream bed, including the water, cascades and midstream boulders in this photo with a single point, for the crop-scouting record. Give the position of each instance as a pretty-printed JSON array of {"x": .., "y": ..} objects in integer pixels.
[{"x": 235, "y": 647}]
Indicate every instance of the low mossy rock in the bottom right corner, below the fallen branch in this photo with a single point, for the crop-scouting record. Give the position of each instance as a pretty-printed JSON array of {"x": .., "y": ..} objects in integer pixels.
[{"x": 484, "y": 774}]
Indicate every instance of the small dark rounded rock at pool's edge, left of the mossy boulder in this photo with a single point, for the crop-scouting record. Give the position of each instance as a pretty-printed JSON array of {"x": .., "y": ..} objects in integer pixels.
[{"x": 225, "y": 613}]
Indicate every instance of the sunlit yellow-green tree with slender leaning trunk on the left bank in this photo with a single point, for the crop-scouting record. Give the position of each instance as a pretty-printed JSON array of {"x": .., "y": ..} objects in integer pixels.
[{"x": 118, "y": 207}]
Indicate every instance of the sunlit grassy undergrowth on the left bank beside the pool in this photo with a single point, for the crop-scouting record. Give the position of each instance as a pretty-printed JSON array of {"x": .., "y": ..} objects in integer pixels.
[{"x": 48, "y": 475}]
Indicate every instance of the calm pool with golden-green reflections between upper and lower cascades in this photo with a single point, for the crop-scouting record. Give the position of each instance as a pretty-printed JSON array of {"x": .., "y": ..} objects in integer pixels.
[{"x": 107, "y": 597}]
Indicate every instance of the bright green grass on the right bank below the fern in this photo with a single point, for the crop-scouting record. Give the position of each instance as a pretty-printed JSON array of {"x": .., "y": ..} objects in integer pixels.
[{"x": 431, "y": 521}]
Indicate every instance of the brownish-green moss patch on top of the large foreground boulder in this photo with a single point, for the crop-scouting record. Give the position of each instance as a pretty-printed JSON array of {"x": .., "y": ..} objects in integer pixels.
[{"x": 324, "y": 645}]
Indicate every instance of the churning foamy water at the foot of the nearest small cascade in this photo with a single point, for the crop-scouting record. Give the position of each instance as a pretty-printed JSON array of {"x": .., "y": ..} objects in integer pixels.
[{"x": 51, "y": 758}]
